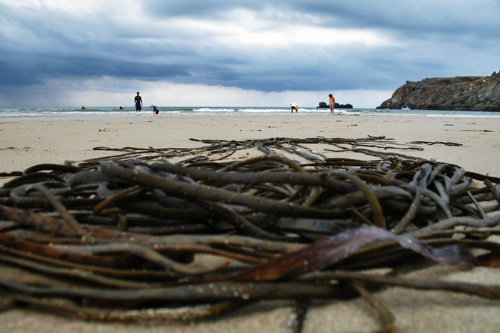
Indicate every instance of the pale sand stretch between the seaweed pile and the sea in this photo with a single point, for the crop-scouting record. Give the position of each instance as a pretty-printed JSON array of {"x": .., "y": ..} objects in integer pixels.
[{"x": 25, "y": 142}]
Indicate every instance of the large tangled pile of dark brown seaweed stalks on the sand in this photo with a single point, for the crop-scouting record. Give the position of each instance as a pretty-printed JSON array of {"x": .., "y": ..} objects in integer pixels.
[{"x": 187, "y": 233}]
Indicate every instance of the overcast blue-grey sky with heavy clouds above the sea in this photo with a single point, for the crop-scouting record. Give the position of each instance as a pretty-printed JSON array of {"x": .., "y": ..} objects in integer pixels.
[{"x": 61, "y": 53}]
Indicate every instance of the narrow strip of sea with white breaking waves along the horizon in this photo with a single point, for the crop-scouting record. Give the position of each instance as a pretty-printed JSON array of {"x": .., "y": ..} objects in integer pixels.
[{"x": 165, "y": 111}]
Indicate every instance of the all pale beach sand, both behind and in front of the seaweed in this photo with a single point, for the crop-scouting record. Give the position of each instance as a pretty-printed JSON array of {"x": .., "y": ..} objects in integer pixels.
[{"x": 26, "y": 142}]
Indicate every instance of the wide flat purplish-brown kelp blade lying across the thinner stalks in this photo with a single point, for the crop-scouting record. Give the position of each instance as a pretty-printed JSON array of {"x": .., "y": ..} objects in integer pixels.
[{"x": 330, "y": 250}]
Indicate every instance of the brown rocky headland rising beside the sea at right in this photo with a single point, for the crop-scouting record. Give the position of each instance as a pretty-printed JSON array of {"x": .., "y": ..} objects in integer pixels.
[{"x": 473, "y": 93}]
